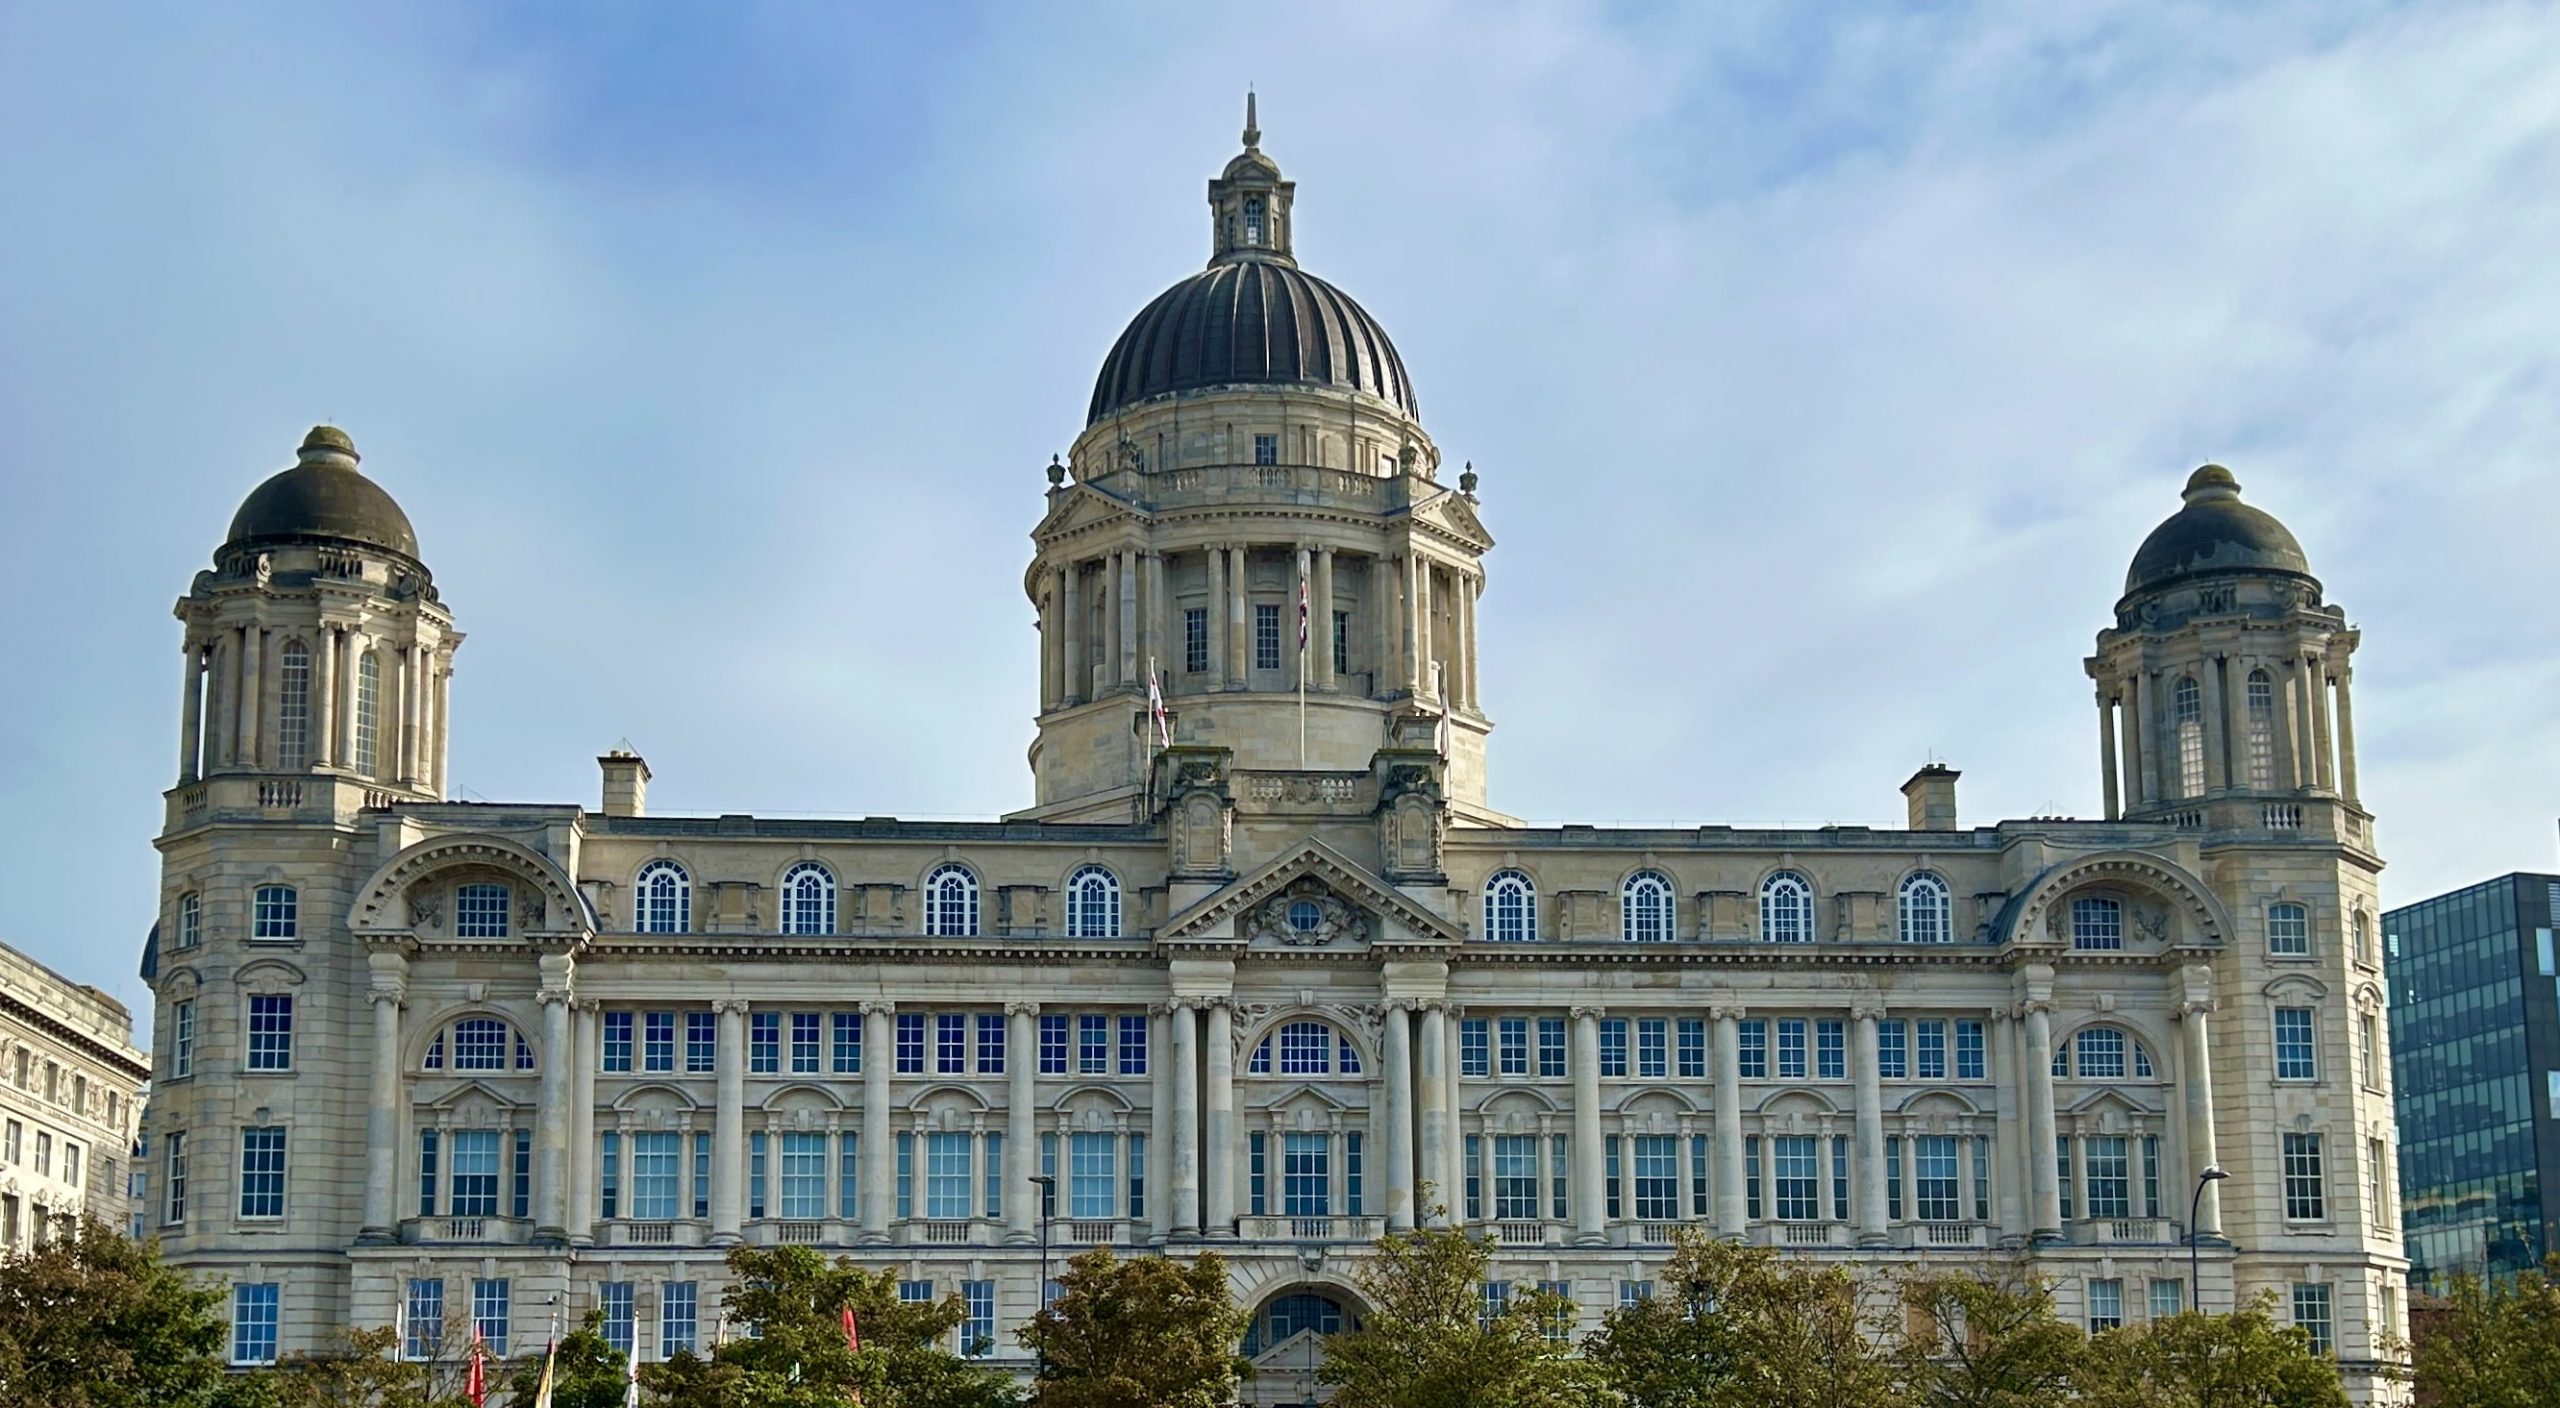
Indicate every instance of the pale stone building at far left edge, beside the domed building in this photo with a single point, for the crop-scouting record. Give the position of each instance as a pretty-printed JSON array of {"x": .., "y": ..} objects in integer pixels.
[{"x": 70, "y": 1102}]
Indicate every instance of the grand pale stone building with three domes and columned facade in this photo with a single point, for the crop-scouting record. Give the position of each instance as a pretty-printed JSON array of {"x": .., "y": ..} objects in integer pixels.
[{"x": 1261, "y": 969}]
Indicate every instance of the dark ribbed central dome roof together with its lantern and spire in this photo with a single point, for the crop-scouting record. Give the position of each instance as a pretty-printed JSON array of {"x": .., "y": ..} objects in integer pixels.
[{"x": 1253, "y": 319}]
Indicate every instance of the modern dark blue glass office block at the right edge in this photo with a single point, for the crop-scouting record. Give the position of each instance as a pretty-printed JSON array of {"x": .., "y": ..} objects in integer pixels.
[{"x": 2477, "y": 1076}]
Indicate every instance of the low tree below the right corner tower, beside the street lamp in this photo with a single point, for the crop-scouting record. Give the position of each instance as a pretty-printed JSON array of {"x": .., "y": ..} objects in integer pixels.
[{"x": 2195, "y": 1361}]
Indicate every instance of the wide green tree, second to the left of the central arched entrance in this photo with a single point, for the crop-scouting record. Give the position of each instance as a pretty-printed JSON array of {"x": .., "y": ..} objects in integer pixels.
[{"x": 792, "y": 1299}]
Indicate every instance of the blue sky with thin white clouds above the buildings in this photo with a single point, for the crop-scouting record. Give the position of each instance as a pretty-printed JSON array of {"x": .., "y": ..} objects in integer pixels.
[{"x": 1824, "y": 370}]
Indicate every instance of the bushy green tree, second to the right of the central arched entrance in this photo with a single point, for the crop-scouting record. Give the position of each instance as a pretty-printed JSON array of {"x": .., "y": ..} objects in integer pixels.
[{"x": 1737, "y": 1327}]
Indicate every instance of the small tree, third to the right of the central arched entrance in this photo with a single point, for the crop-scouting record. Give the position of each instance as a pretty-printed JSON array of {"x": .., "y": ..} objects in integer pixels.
[{"x": 1985, "y": 1343}]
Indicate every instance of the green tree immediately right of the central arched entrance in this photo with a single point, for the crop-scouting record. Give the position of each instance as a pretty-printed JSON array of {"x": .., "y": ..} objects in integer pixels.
[{"x": 1430, "y": 1340}]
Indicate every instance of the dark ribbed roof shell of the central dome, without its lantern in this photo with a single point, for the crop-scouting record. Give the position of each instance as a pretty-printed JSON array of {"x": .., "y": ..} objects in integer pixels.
[{"x": 1251, "y": 321}]
